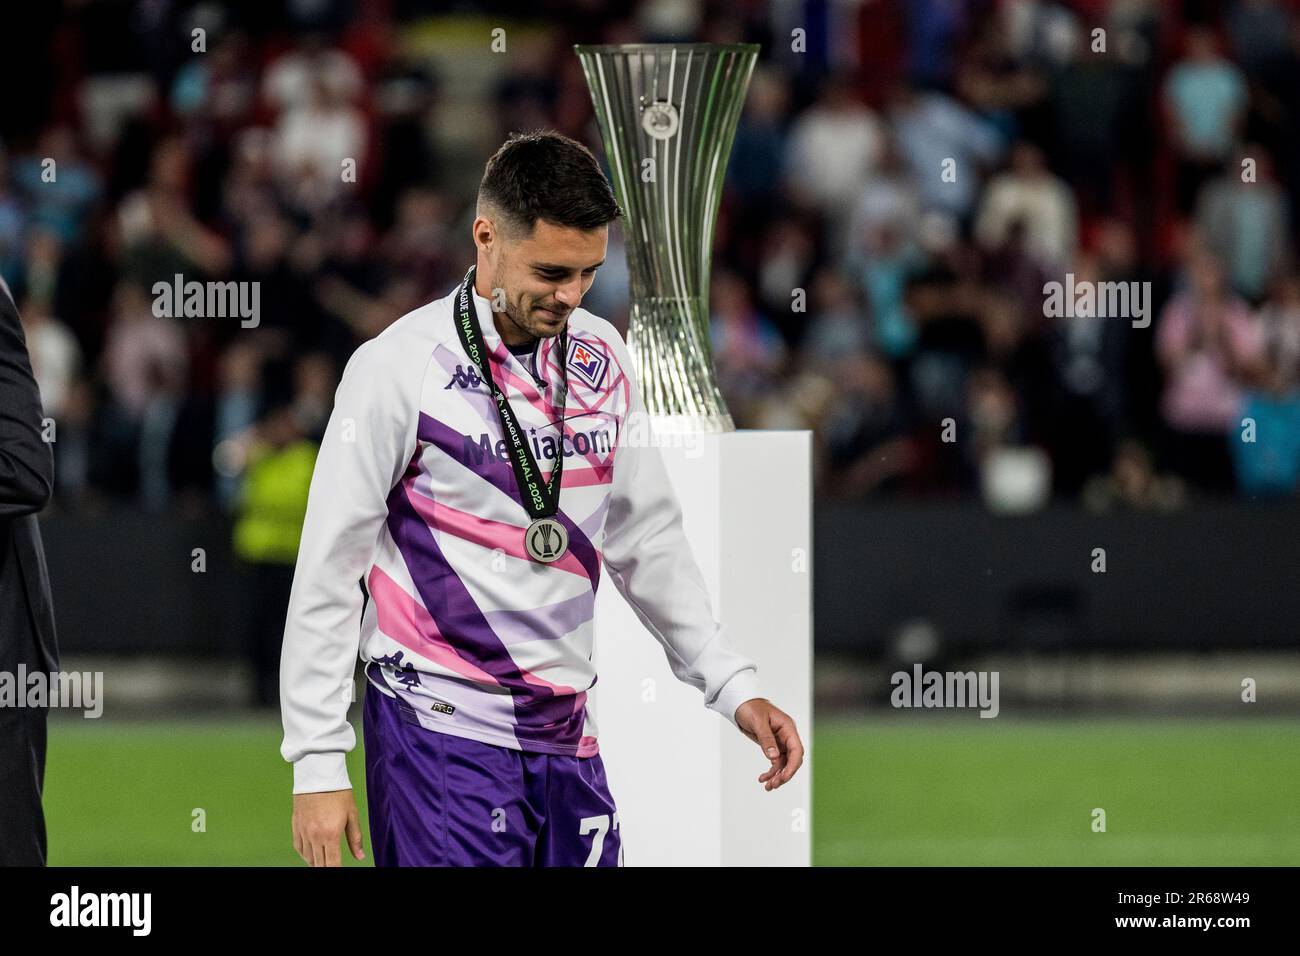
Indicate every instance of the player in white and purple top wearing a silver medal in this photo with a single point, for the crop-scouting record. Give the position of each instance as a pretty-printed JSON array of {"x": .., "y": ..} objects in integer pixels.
[{"x": 473, "y": 481}]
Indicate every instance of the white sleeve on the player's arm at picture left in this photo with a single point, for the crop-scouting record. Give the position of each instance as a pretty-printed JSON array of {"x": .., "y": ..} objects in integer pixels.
[{"x": 370, "y": 439}]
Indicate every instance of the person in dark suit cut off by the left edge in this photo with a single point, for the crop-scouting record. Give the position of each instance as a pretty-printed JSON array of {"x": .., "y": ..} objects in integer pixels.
[{"x": 27, "y": 611}]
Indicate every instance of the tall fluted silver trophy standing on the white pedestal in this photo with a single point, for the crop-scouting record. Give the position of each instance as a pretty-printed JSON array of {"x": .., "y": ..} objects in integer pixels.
[{"x": 669, "y": 115}]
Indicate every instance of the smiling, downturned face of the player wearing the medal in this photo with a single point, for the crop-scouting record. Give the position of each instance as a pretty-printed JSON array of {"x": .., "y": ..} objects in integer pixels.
[{"x": 544, "y": 276}]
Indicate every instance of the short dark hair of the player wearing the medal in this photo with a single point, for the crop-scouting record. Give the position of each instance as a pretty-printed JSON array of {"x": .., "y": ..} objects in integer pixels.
[{"x": 545, "y": 175}]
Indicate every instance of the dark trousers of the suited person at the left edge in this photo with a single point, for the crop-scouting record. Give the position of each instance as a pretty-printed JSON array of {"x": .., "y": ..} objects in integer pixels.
[{"x": 23, "y": 768}]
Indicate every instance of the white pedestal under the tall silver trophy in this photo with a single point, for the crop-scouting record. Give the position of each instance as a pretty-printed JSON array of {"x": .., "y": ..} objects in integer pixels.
[{"x": 686, "y": 780}]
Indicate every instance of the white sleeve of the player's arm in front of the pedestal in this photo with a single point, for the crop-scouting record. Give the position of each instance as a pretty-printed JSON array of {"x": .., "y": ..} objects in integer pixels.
[{"x": 652, "y": 565}]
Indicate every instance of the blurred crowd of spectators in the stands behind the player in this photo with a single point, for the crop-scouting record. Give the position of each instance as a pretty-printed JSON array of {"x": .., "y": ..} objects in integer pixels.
[{"x": 891, "y": 220}]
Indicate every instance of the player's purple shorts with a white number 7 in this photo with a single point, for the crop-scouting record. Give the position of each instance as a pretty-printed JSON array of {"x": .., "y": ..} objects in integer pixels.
[{"x": 441, "y": 801}]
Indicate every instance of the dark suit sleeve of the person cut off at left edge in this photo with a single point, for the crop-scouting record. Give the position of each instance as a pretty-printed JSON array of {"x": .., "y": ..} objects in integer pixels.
[{"x": 27, "y": 460}]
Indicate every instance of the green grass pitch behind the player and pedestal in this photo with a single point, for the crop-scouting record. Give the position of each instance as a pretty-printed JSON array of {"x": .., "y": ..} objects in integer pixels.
[{"x": 886, "y": 791}]
